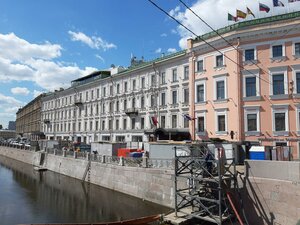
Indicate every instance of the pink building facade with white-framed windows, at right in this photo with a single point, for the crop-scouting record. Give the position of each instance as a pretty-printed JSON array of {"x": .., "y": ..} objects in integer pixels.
[{"x": 245, "y": 85}]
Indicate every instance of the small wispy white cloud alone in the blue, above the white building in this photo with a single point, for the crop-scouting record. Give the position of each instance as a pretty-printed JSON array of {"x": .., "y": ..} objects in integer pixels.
[{"x": 93, "y": 41}]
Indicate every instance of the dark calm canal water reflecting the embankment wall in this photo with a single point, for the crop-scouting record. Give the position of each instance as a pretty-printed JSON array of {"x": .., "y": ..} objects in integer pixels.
[{"x": 28, "y": 196}]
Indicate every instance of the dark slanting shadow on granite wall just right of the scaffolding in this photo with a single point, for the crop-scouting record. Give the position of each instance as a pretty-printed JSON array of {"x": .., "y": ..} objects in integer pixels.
[{"x": 256, "y": 207}]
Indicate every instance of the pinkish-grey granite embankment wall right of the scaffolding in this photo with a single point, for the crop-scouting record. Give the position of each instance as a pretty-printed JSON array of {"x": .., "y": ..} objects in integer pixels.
[{"x": 271, "y": 192}]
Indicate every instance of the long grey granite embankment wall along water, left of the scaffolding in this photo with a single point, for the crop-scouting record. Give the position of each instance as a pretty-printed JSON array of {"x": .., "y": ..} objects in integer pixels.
[{"x": 155, "y": 185}]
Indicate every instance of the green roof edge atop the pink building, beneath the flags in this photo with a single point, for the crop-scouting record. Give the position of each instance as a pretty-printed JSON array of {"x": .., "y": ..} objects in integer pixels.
[{"x": 249, "y": 23}]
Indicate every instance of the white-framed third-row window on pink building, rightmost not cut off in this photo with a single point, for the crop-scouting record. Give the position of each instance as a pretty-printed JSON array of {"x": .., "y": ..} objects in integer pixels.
[{"x": 280, "y": 119}]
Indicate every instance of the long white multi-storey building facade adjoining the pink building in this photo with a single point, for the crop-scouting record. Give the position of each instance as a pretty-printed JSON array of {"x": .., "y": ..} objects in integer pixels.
[{"x": 123, "y": 104}]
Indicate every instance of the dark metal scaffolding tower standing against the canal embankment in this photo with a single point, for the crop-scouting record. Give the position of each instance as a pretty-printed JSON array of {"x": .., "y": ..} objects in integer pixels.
[{"x": 203, "y": 179}]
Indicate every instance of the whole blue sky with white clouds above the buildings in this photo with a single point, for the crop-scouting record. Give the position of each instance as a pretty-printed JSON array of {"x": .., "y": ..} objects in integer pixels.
[{"x": 46, "y": 44}]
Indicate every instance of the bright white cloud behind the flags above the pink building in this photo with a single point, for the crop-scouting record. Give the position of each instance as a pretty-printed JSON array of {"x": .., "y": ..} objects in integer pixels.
[{"x": 215, "y": 14}]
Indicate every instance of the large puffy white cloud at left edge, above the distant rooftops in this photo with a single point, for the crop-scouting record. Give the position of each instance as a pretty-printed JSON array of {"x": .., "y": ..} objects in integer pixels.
[{"x": 24, "y": 61}]
